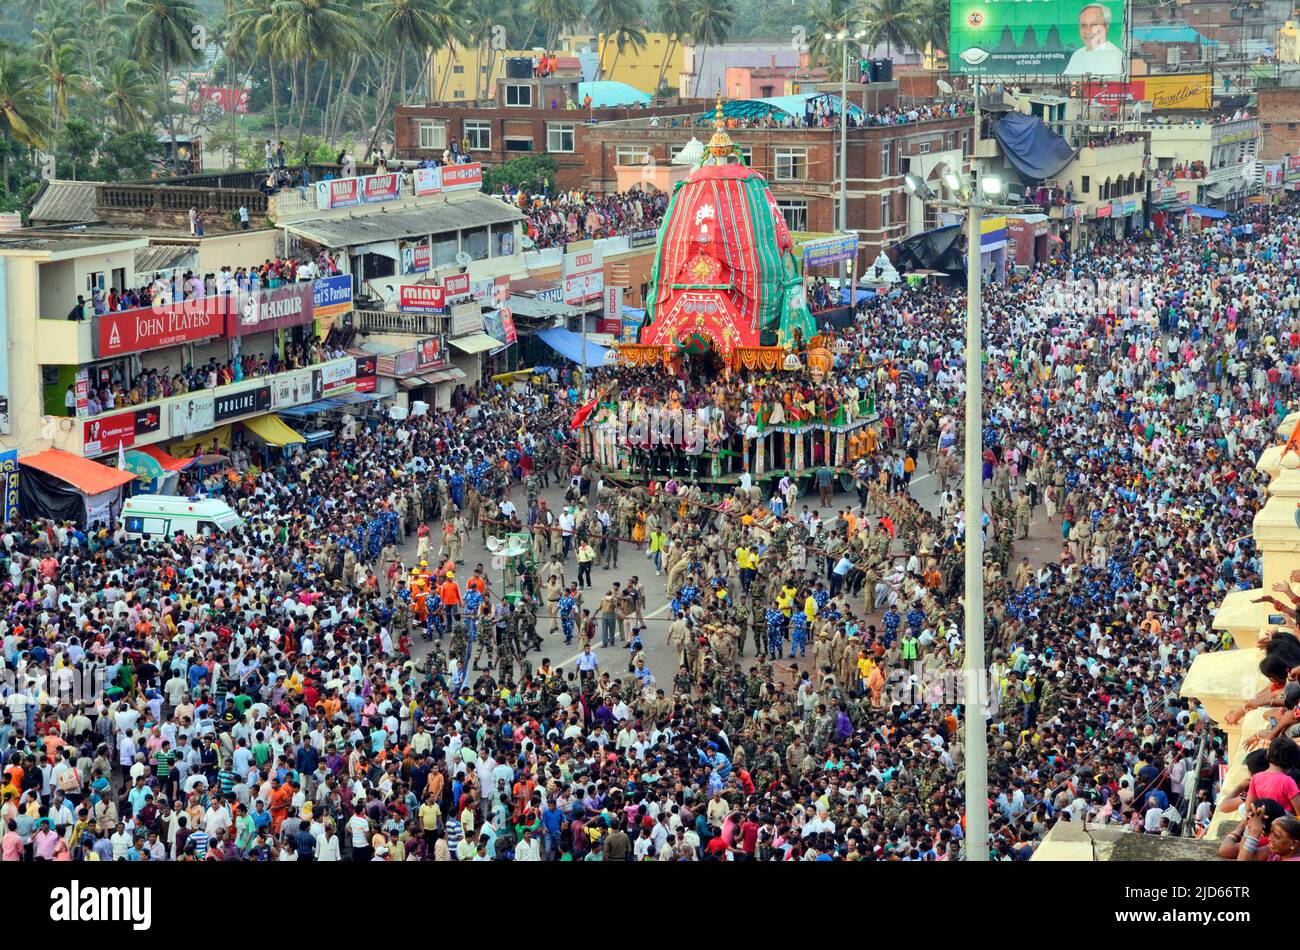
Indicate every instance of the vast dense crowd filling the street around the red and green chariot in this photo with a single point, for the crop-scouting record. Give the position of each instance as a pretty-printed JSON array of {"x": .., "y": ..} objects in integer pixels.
[{"x": 300, "y": 691}]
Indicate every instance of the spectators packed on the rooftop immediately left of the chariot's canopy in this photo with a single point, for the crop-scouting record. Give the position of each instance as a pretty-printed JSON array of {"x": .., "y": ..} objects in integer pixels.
[{"x": 580, "y": 215}]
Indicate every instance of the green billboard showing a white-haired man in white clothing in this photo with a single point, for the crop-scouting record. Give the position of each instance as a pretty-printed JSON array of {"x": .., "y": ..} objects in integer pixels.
[{"x": 1029, "y": 38}]
